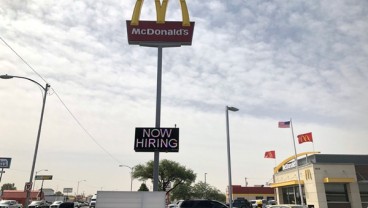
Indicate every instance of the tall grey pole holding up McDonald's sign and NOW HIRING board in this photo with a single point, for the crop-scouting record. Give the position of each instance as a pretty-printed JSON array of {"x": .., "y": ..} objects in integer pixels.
[{"x": 158, "y": 117}]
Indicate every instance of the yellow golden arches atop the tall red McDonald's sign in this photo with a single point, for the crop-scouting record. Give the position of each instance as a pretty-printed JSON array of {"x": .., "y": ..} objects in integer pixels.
[{"x": 160, "y": 12}]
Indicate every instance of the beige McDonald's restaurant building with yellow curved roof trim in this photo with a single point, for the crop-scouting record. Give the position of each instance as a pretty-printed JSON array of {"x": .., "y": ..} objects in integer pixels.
[{"x": 326, "y": 180}]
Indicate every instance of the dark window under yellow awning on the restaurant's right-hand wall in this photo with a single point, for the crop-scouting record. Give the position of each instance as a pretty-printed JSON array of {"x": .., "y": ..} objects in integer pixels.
[{"x": 336, "y": 192}]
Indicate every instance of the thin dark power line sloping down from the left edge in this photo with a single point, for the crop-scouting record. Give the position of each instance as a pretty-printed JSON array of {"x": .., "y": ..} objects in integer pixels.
[{"x": 62, "y": 102}]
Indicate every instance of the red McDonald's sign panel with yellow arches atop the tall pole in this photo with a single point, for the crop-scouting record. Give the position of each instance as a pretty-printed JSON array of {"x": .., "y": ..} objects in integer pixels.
[{"x": 160, "y": 32}]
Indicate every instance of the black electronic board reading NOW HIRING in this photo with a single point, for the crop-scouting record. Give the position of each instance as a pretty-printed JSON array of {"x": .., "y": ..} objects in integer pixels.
[{"x": 156, "y": 139}]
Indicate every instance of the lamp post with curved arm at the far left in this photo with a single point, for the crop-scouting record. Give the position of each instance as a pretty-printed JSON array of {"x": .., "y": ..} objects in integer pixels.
[{"x": 39, "y": 127}]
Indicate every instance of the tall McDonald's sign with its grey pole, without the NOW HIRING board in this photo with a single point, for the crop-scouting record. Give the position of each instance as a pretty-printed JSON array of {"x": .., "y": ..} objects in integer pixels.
[{"x": 159, "y": 34}]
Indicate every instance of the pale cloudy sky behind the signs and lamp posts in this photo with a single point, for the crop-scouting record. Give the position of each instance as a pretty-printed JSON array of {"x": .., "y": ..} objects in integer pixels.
[{"x": 274, "y": 60}]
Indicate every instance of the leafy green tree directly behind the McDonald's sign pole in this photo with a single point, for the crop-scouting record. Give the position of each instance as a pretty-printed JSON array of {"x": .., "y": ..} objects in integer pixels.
[{"x": 170, "y": 172}]
